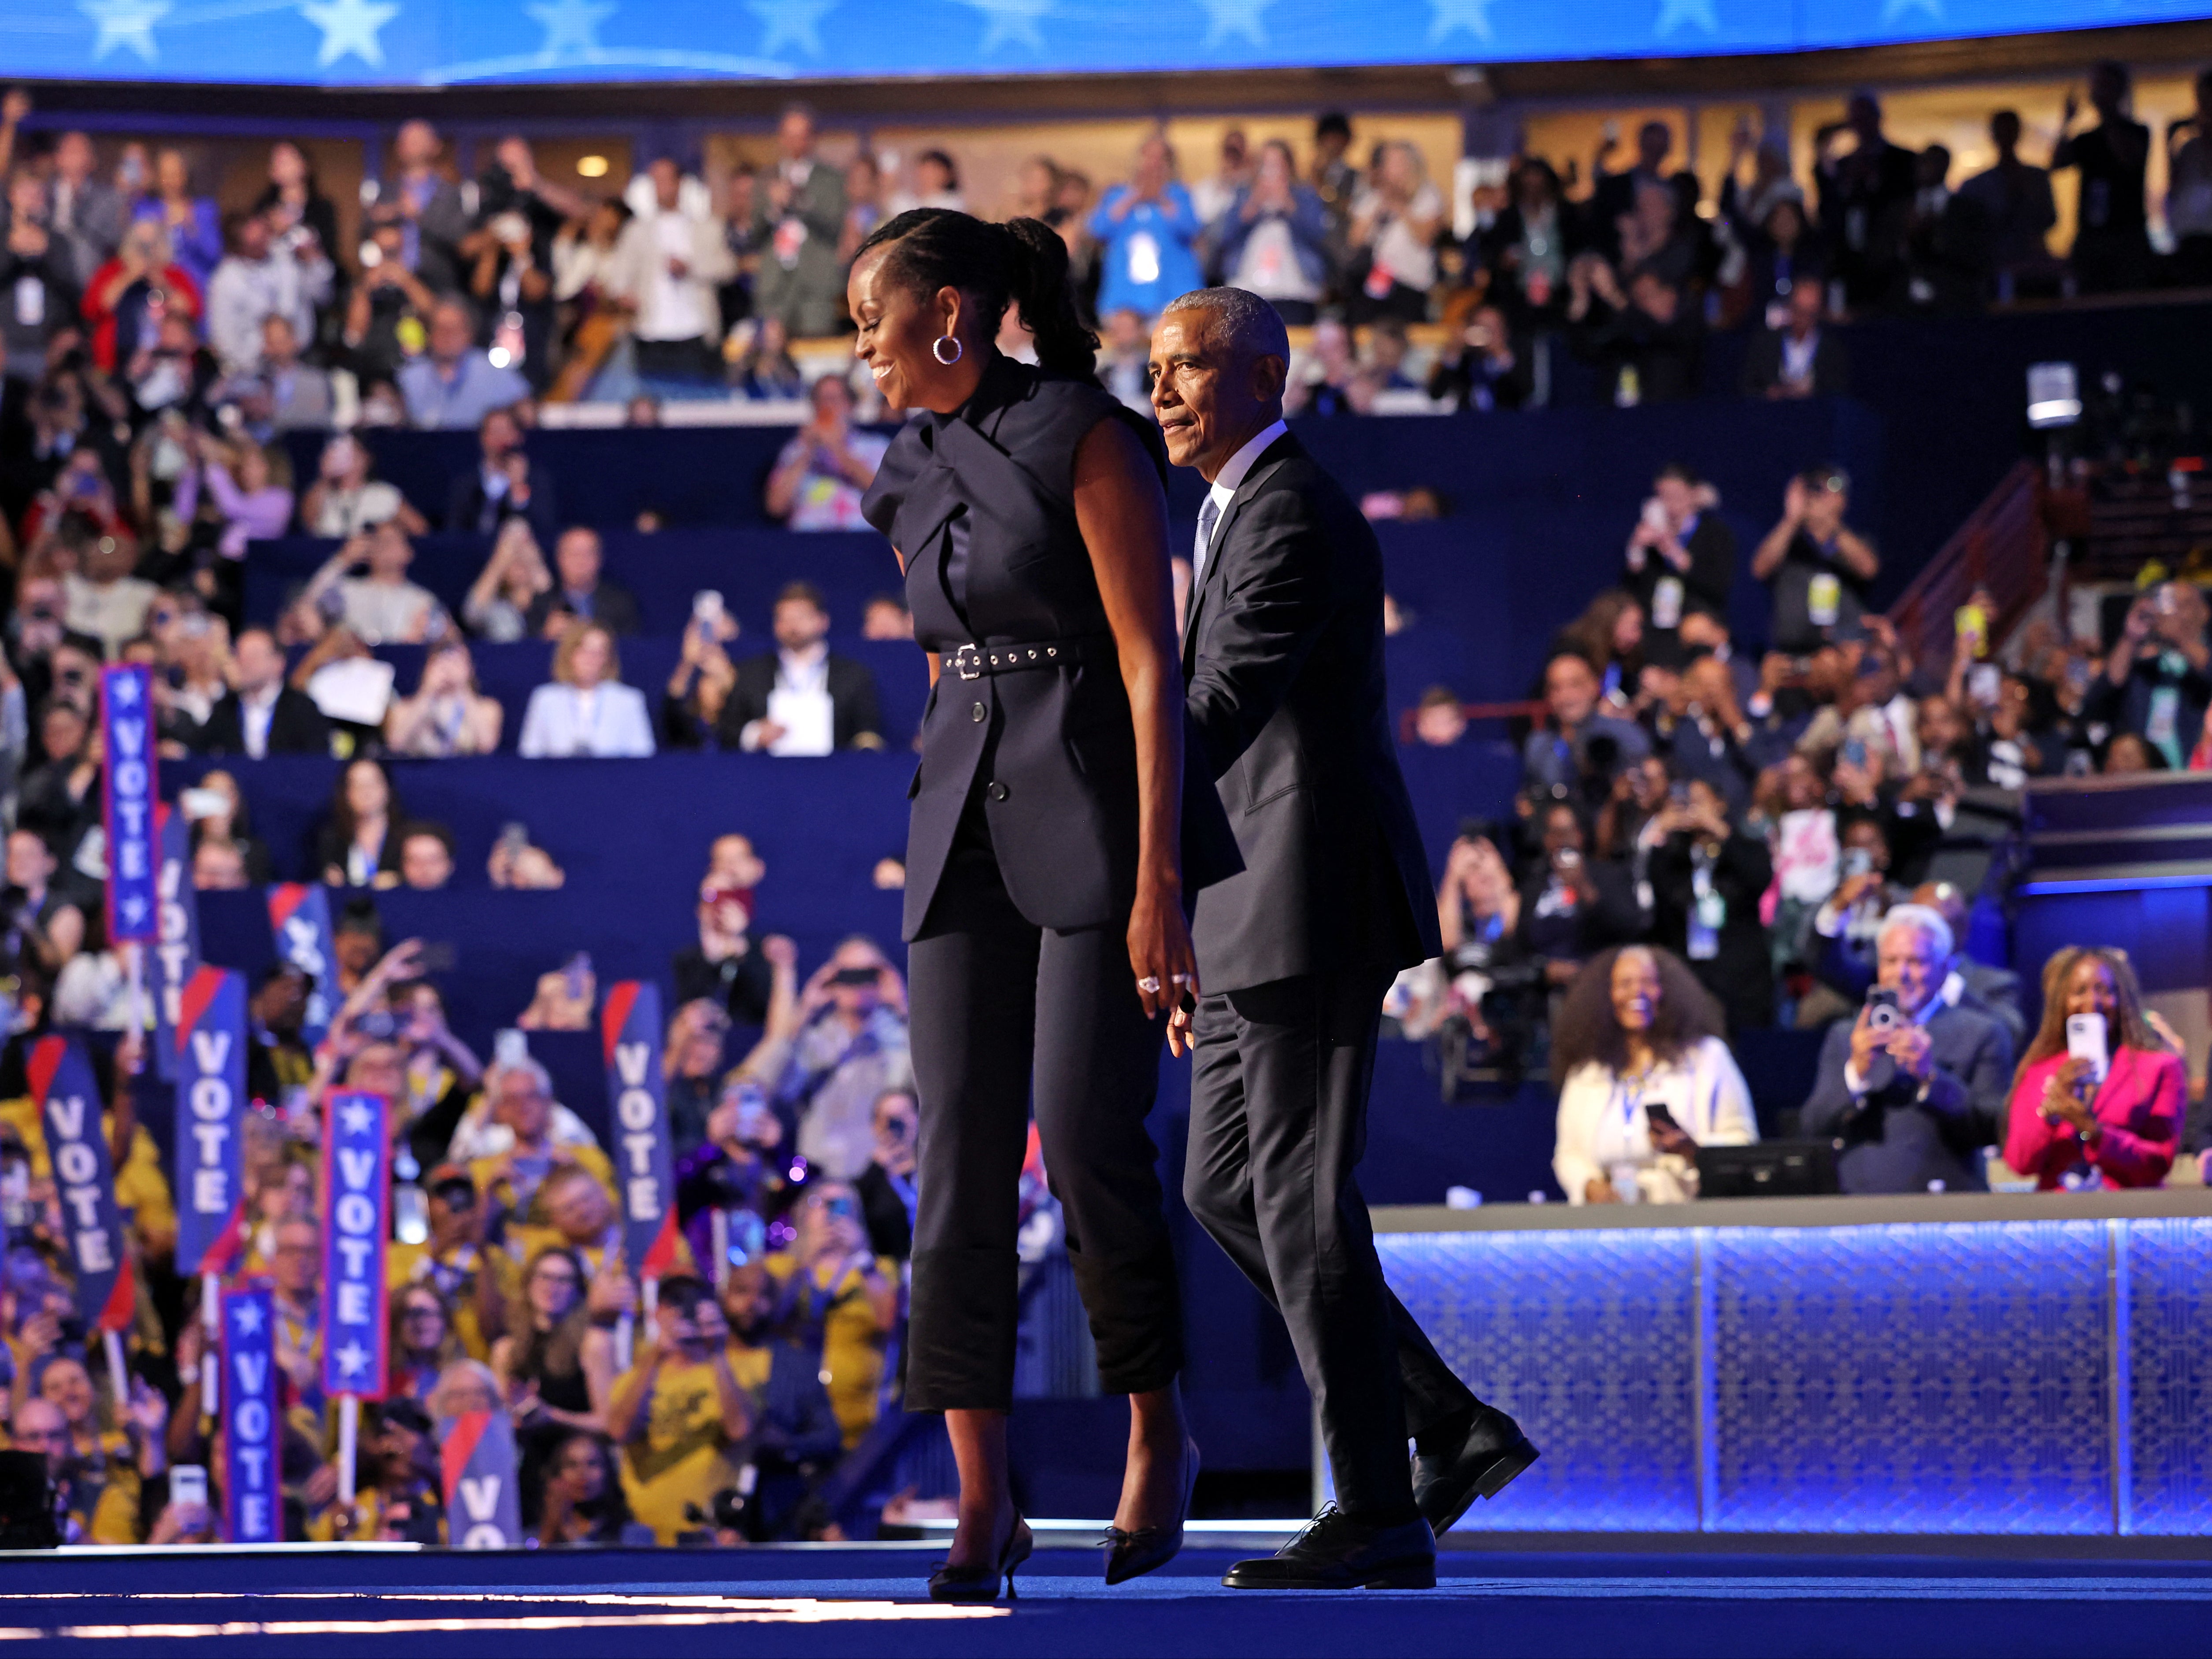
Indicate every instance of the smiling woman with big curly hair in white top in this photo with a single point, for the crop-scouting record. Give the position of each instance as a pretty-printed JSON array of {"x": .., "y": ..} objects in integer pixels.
[{"x": 1645, "y": 1081}]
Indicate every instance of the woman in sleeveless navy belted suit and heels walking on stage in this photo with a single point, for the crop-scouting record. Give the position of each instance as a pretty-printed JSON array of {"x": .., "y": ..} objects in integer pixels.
[{"x": 1045, "y": 859}]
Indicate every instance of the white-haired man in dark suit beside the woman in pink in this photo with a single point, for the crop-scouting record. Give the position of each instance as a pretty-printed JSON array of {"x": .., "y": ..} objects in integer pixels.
[{"x": 1919, "y": 1100}]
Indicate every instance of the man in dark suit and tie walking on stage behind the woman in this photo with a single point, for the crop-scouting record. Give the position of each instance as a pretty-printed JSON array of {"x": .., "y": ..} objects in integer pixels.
[{"x": 1284, "y": 654}]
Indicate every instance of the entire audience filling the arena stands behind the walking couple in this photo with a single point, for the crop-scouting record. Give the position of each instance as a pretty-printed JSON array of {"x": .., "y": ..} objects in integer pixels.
[{"x": 1711, "y": 835}]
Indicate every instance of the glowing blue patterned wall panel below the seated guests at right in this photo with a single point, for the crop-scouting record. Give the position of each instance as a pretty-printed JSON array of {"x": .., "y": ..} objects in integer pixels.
[{"x": 2007, "y": 1377}]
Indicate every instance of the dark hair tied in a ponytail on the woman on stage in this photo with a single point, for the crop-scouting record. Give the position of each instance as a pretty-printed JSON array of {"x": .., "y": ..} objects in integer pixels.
[{"x": 1014, "y": 264}]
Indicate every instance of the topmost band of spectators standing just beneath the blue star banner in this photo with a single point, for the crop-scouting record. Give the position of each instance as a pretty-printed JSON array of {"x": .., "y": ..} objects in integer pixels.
[{"x": 479, "y": 293}]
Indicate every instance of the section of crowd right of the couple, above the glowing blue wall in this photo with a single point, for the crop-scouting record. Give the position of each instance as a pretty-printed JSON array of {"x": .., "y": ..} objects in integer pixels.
[{"x": 1713, "y": 842}]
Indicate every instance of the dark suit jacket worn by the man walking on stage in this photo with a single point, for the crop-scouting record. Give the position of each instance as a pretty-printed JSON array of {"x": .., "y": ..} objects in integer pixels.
[{"x": 1284, "y": 656}]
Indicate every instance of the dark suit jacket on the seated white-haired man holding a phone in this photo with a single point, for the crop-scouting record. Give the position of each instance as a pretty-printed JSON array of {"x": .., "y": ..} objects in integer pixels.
[{"x": 1897, "y": 1142}]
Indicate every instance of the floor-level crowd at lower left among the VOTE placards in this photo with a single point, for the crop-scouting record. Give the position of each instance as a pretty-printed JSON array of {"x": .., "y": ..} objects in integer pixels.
[{"x": 713, "y": 1415}]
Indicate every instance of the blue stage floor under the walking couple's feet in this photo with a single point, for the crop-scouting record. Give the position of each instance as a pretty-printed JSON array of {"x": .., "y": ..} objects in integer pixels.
[{"x": 866, "y": 1600}]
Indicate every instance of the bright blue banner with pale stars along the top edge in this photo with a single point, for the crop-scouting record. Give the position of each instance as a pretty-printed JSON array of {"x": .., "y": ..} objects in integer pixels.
[{"x": 439, "y": 43}]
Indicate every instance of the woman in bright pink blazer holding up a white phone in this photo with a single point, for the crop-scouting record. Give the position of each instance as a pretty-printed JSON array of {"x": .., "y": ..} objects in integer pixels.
[{"x": 2063, "y": 1123}]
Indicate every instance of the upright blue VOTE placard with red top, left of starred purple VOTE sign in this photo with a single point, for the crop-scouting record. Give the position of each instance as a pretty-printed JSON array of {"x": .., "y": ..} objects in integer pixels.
[{"x": 211, "y": 1112}]
